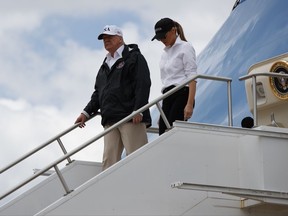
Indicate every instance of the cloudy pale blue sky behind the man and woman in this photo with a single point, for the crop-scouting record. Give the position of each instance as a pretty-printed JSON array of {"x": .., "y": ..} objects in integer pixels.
[{"x": 50, "y": 55}]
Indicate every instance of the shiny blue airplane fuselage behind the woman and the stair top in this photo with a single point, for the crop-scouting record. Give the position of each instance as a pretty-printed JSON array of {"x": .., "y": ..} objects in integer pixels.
[{"x": 250, "y": 35}]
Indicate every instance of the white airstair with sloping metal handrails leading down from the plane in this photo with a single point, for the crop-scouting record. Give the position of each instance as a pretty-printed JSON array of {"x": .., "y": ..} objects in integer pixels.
[{"x": 193, "y": 169}]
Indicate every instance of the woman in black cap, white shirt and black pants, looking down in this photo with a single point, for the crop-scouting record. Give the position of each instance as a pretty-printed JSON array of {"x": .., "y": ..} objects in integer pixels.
[{"x": 177, "y": 64}]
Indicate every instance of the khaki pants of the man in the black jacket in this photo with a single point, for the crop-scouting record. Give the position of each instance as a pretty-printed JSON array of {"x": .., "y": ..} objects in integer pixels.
[{"x": 129, "y": 136}]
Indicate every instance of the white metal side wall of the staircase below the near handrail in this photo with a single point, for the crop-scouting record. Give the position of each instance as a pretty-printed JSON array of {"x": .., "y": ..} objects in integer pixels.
[{"x": 238, "y": 159}]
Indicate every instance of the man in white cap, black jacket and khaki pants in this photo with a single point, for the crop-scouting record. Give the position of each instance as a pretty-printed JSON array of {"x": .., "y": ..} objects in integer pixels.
[{"x": 122, "y": 86}]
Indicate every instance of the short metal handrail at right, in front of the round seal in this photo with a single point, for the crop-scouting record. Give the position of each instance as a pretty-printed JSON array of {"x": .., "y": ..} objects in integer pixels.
[{"x": 253, "y": 76}]
